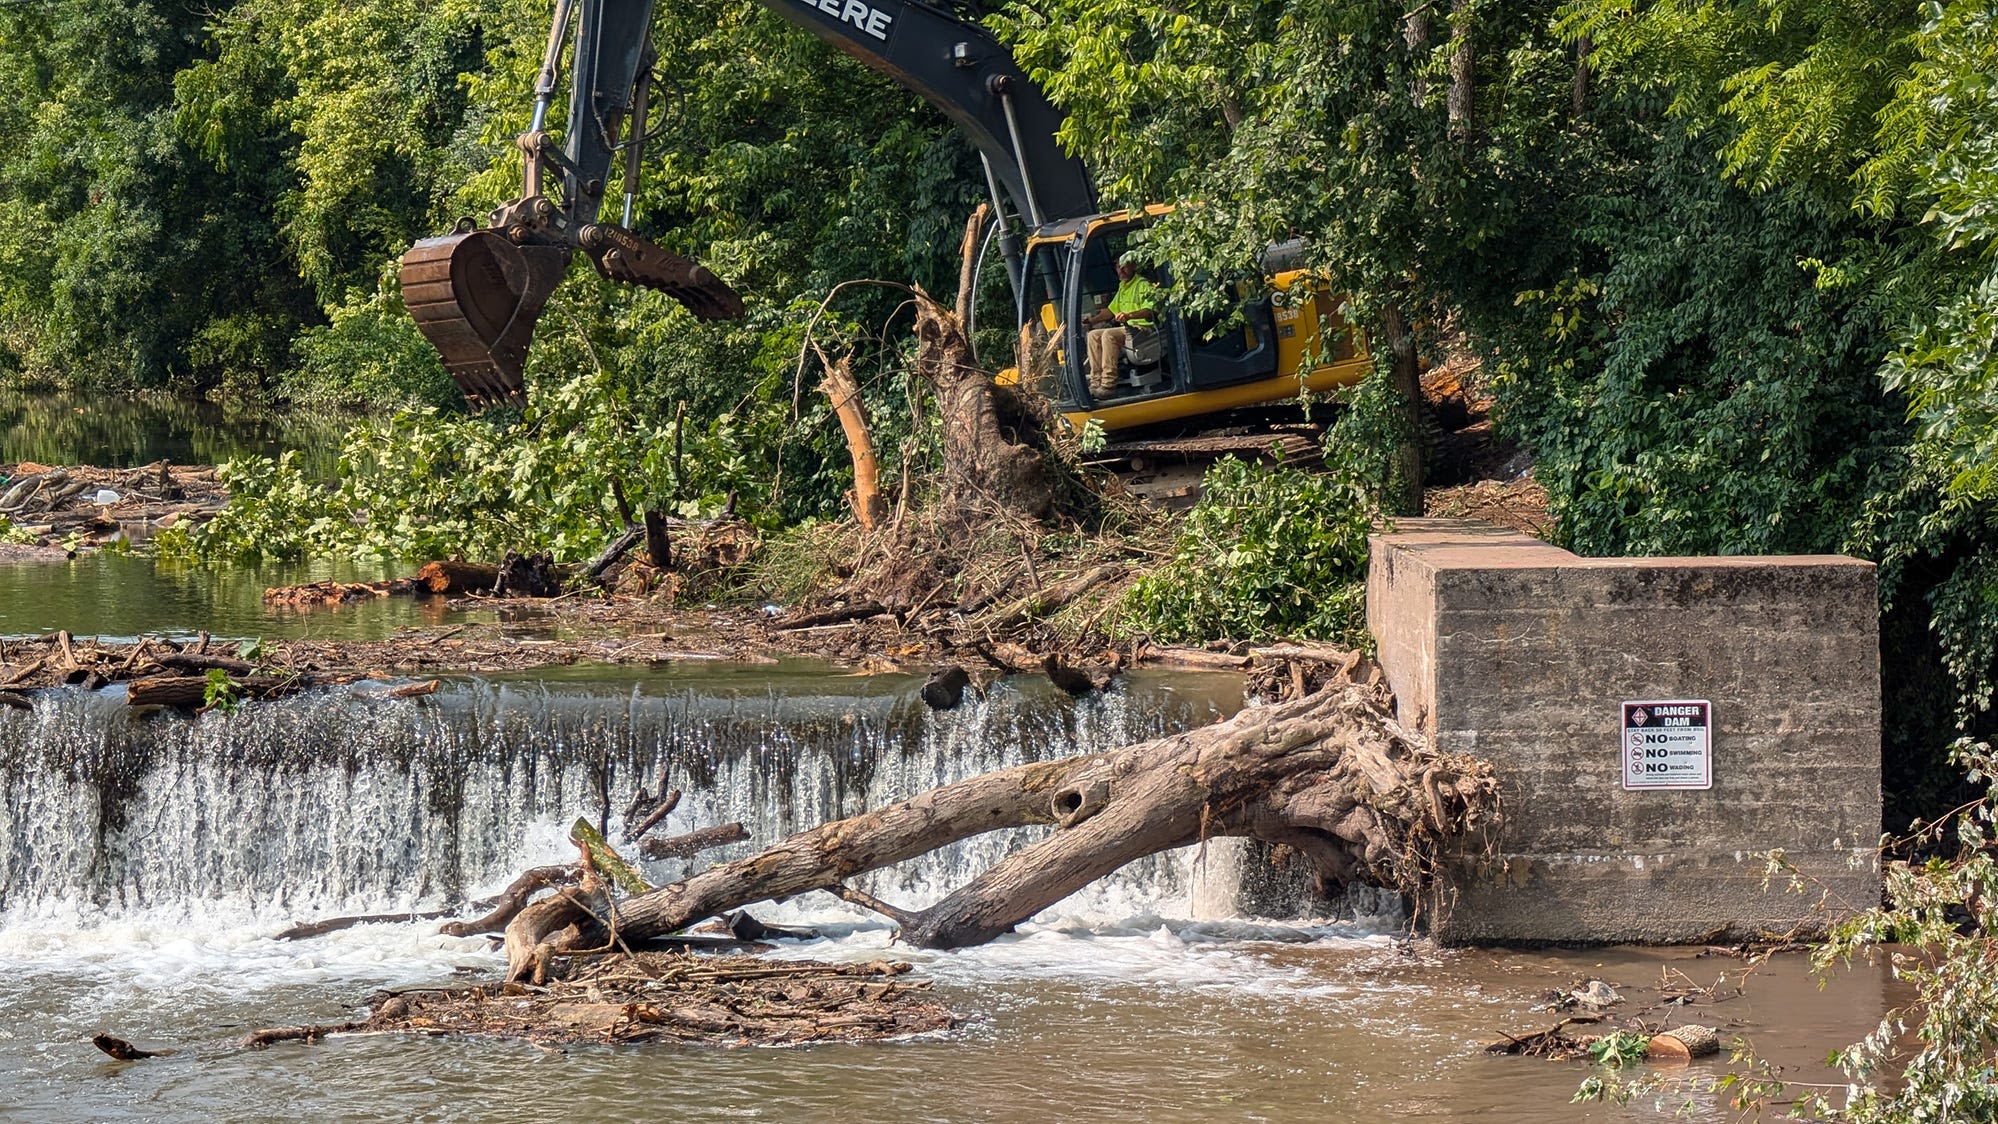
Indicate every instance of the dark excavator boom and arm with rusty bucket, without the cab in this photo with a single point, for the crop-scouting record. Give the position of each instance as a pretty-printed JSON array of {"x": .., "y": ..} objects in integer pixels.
[{"x": 479, "y": 292}]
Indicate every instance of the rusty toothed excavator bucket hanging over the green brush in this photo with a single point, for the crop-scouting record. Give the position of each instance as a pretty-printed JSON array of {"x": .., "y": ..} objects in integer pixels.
[{"x": 477, "y": 298}]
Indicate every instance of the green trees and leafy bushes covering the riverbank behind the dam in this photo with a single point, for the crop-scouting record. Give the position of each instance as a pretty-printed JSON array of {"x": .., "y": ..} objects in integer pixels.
[{"x": 1727, "y": 273}]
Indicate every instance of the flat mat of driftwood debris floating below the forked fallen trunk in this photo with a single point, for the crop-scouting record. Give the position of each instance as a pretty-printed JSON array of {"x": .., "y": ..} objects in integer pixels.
[{"x": 676, "y": 997}]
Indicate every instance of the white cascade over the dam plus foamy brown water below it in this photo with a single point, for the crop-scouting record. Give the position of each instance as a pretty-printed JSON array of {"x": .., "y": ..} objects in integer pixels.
[{"x": 147, "y": 863}]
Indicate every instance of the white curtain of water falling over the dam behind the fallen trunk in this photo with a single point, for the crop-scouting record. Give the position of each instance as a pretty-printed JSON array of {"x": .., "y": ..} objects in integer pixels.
[{"x": 351, "y": 802}]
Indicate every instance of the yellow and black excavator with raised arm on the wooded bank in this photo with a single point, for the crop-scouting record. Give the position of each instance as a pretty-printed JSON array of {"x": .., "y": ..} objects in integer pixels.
[{"x": 479, "y": 292}]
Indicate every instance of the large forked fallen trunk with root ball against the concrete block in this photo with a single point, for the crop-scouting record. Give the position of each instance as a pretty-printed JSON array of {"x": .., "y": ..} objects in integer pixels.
[{"x": 1330, "y": 776}]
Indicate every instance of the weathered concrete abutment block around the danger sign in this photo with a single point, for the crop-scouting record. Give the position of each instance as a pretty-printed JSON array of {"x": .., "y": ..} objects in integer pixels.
[{"x": 1523, "y": 654}]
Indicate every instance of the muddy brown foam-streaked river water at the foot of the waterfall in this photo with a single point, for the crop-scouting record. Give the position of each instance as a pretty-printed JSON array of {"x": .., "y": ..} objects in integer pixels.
[{"x": 1066, "y": 1025}]
